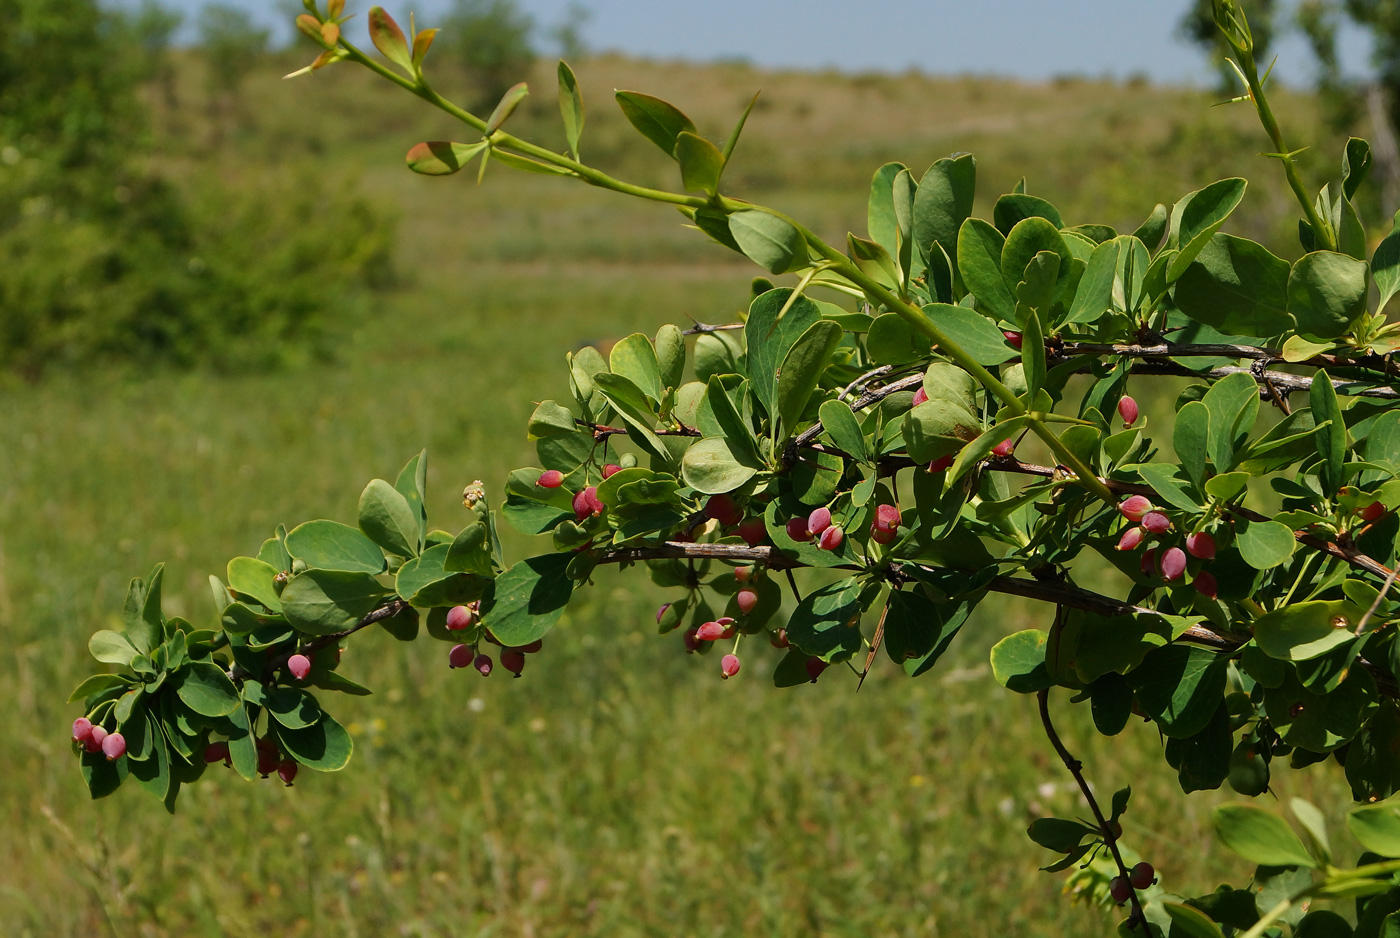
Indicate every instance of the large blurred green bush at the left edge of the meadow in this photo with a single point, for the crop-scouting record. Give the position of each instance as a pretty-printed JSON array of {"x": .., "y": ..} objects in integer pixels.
[{"x": 103, "y": 258}]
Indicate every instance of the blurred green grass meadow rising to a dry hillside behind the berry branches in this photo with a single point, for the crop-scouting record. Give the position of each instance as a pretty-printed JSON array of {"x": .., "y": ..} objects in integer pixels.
[{"x": 618, "y": 789}]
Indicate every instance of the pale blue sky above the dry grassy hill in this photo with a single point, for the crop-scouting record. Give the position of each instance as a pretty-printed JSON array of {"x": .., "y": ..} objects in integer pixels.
[{"x": 1024, "y": 38}]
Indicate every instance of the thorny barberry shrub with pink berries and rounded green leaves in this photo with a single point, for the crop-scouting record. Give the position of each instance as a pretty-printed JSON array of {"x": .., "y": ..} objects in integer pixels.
[{"x": 864, "y": 423}]
